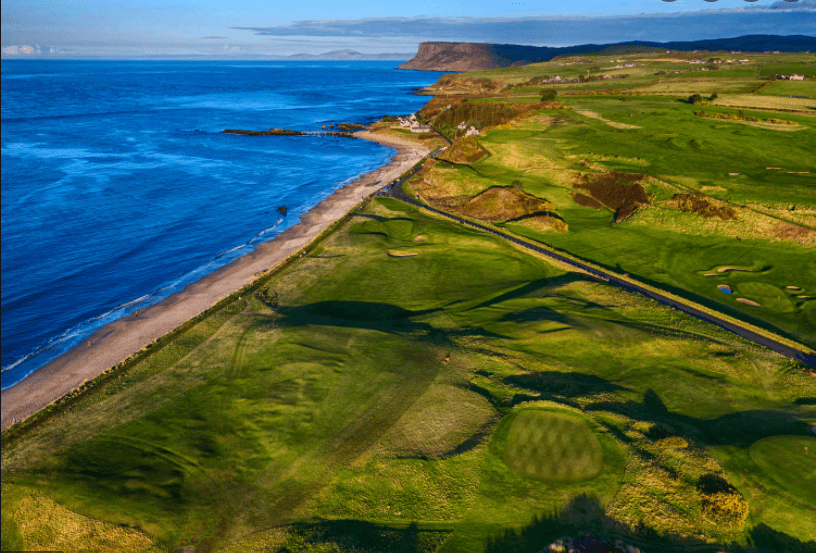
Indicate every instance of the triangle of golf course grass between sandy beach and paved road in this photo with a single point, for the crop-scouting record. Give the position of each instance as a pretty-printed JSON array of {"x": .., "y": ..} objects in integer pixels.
[{"x": 364, "y": 402}]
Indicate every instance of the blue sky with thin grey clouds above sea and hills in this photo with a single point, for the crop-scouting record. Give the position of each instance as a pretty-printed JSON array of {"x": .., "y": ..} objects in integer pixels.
[{"x": 264, "y": 29}]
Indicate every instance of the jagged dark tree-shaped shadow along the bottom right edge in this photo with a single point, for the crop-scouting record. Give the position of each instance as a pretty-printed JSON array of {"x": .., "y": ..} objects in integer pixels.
[{"x": 584, "y": 525}]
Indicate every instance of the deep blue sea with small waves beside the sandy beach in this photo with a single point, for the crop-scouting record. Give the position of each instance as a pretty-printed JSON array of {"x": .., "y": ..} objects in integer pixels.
[{"x": 118, "y": 187}]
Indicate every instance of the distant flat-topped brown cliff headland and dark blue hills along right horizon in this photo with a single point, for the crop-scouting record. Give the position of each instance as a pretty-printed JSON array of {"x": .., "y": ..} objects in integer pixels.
[{"x": 473, "y": 56}]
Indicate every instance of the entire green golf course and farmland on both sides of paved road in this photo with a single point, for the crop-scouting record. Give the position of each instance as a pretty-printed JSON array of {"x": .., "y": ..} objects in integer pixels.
[{"x": 410, "y": 384}]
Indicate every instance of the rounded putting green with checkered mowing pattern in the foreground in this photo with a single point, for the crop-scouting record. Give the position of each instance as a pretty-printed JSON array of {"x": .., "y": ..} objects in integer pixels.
[{"x": 552, "y": 446}]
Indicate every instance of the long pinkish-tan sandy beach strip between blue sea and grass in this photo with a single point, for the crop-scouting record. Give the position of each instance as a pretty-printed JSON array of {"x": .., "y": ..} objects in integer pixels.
[{"x": 124, "y": 337}]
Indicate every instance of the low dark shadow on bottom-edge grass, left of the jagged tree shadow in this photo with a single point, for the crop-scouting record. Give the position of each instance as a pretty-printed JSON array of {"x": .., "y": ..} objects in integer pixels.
[{"x": 361, "y": 537}]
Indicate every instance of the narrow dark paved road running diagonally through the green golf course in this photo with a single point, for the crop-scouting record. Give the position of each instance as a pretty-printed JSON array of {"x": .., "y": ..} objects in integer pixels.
[{"x": 394, "y": 190}]
